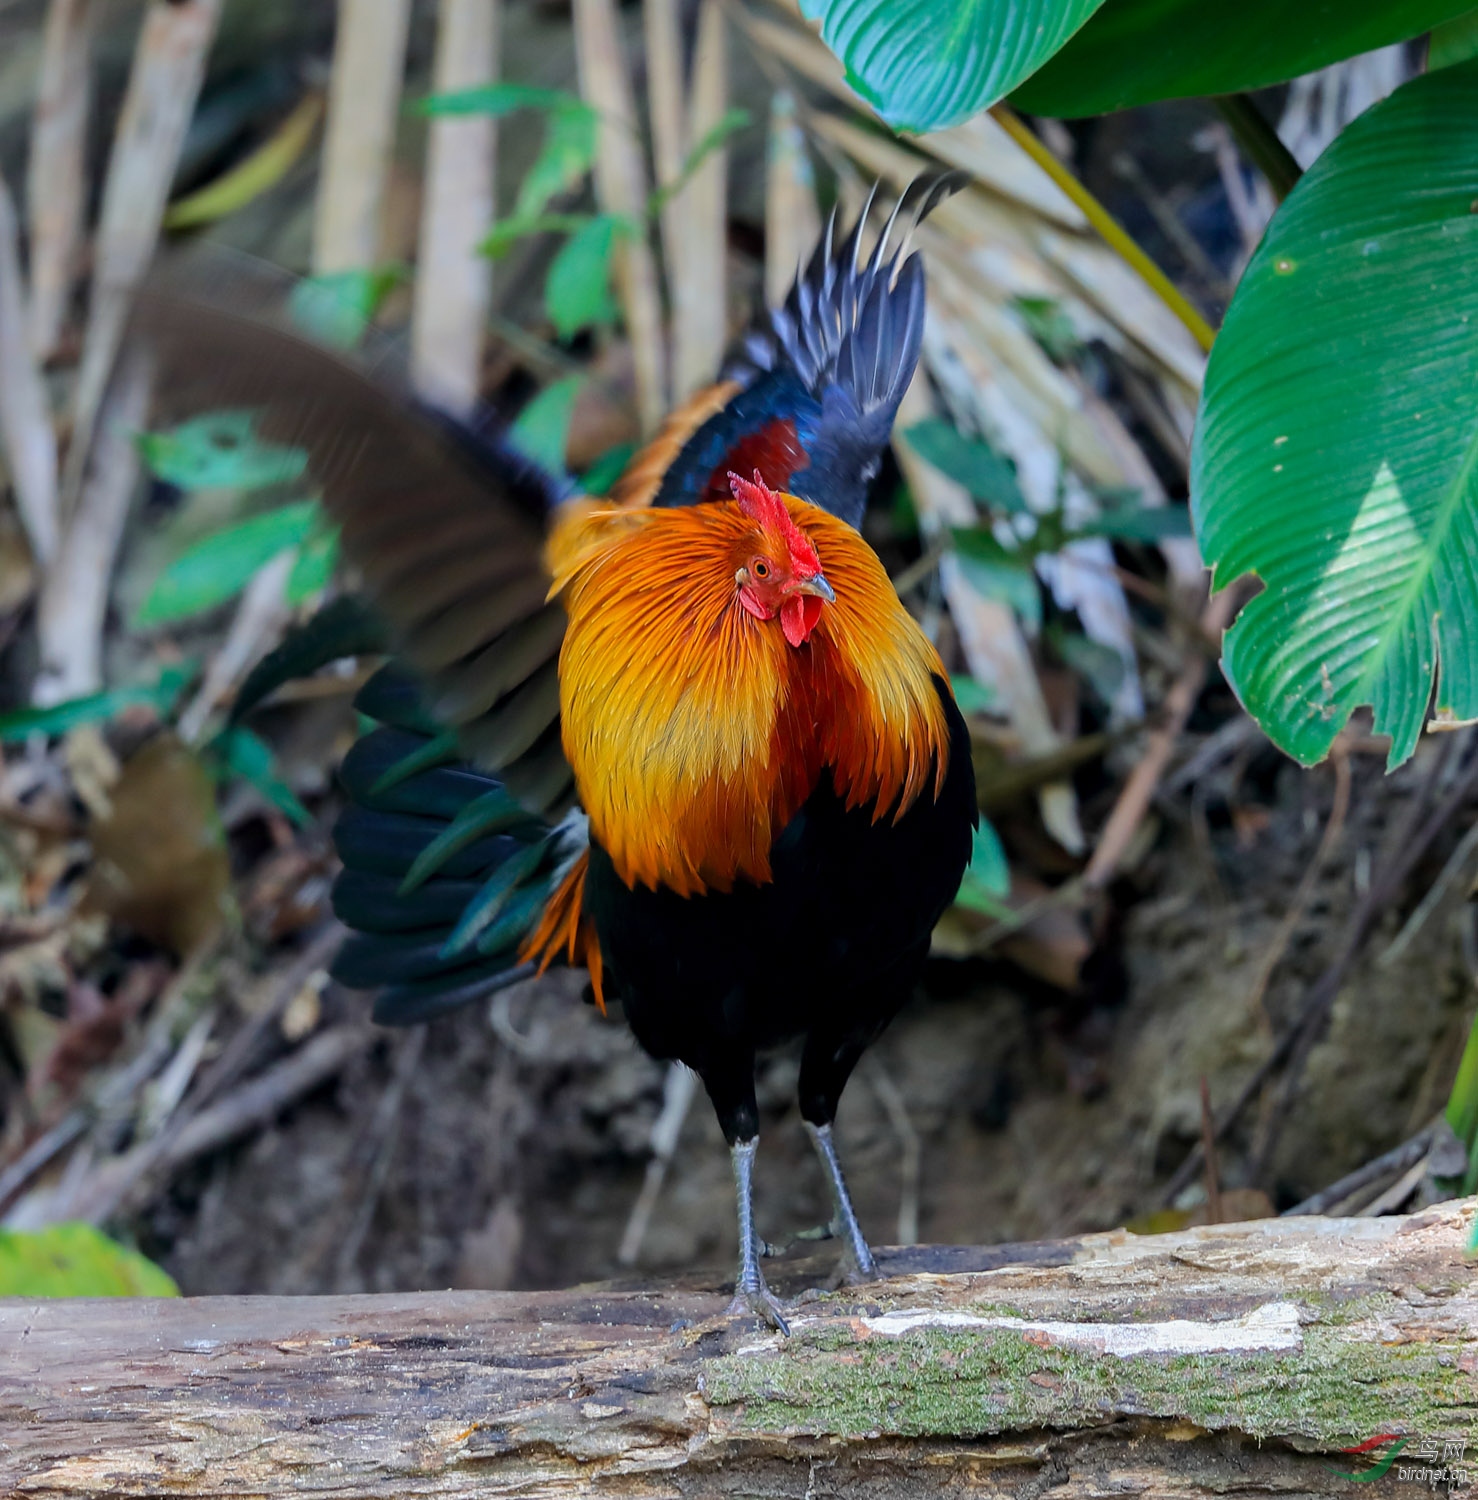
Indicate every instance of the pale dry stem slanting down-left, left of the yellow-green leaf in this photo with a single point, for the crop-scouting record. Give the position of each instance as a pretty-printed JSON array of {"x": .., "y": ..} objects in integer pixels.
[{"x": 164, "y": 85}]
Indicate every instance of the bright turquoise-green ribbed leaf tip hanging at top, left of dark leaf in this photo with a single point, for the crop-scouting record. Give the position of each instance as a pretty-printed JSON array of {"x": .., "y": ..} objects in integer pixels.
[{"x": 928, "y": 64}]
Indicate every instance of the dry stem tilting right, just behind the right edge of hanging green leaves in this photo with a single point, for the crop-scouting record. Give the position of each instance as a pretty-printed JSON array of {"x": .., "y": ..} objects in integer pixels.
[{"x": 622, "y": 188}]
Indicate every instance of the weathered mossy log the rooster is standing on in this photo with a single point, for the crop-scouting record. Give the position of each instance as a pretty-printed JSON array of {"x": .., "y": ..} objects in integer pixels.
[{"x": 1216, "y": 1361}]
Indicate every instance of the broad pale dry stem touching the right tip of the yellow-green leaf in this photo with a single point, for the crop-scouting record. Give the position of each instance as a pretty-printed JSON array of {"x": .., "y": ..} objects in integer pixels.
[{"x": 364, "y": 107}]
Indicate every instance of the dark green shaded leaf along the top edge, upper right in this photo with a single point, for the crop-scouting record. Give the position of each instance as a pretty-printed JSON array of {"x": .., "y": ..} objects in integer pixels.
[{"x": 1137, "y": 52}]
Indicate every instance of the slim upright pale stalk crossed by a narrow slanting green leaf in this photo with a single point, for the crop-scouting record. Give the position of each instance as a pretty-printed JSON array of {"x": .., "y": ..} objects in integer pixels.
[{"x": 700, "y": 299}]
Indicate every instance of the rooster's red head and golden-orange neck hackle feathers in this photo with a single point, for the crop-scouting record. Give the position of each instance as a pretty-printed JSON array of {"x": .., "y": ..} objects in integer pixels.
[{"x": 698, "y": 721}]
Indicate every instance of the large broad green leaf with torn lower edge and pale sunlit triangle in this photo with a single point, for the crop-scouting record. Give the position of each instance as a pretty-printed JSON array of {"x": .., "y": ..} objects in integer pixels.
[{"x": 1336, "y": 454}]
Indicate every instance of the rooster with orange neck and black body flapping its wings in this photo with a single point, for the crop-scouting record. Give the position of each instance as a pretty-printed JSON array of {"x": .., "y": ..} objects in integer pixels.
[{"x": 686, "y": 737}]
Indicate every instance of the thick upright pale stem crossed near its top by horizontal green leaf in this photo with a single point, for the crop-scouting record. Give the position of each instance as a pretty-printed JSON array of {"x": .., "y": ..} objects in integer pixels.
[{"x": 454, "y": 284}]
